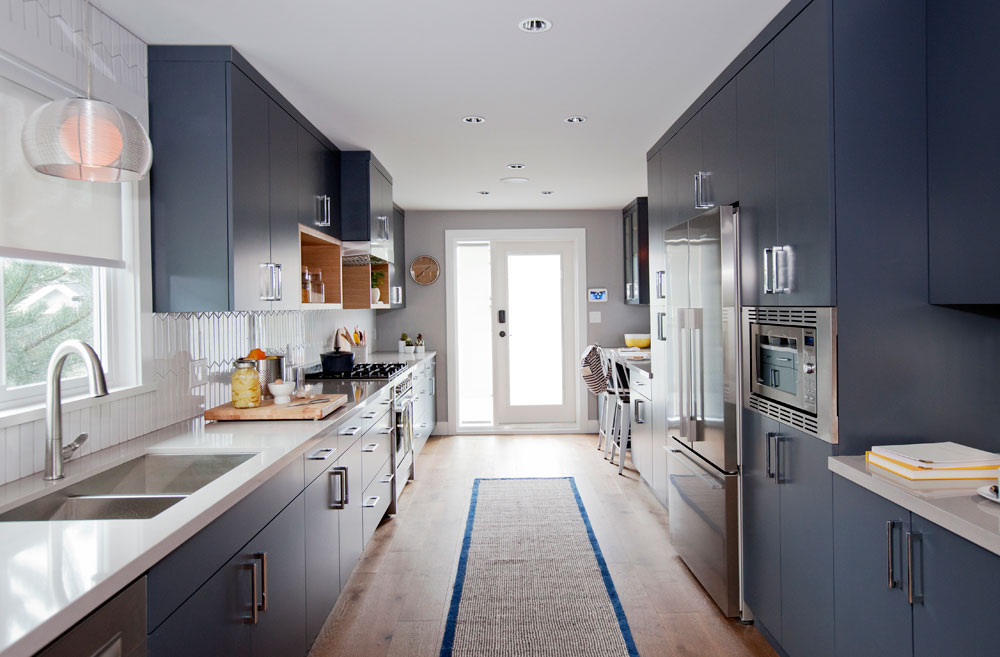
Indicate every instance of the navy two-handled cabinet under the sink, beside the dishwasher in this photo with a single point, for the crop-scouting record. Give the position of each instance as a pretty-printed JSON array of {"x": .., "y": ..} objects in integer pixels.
[{"x": 252, "y": 606}]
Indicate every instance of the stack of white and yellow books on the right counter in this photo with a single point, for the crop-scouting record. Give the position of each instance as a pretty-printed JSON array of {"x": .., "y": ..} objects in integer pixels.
[{"x": 935, "y": 461}]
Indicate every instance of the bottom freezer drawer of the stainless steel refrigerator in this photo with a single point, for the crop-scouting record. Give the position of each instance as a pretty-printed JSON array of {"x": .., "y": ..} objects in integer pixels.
[{"x": 704, "y": 525}]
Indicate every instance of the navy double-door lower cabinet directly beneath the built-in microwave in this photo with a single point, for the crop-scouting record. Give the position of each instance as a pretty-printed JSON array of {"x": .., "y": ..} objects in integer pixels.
[{"x": 788, "y": 535}]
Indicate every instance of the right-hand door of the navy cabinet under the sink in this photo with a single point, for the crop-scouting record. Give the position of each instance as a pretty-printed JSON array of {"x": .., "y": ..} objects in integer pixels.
[{"x": 281, "y": 626}]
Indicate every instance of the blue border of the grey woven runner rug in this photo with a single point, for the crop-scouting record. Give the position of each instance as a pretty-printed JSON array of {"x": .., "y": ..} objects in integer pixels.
[{"x": 456, "y": 599}]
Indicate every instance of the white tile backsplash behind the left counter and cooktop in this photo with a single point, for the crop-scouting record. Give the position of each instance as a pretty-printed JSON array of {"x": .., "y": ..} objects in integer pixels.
[{"x": 179, "y": 339}]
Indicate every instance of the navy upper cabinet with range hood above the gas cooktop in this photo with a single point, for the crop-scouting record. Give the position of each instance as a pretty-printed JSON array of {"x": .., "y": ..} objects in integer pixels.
[{"x": 366, "y": 202}]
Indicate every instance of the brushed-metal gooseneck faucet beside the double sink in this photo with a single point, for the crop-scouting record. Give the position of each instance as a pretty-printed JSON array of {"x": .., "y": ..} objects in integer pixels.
[{"x": 55, "y": 453}]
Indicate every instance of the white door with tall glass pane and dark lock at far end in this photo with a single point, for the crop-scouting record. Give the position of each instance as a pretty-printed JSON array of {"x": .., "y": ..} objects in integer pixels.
[{"x": 533, "y": 332}]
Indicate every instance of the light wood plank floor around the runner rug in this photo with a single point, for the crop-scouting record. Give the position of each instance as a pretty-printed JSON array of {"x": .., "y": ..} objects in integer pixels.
[{"x": 396, "y": 602}]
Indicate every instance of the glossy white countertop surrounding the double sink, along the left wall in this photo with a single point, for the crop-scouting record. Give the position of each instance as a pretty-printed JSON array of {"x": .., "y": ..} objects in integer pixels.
[{"x": 57, "y": 572}]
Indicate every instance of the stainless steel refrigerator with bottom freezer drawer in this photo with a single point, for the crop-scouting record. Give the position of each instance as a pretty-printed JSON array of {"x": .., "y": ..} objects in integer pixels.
[{"x": 700, "y": 362}]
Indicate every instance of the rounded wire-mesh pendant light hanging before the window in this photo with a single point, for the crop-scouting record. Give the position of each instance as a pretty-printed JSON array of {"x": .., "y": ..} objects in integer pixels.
[{"x": 86, "y": 139}]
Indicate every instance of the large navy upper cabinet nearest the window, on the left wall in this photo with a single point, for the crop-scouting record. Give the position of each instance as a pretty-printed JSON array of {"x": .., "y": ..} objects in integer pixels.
[{"x": 228, "y": 184}]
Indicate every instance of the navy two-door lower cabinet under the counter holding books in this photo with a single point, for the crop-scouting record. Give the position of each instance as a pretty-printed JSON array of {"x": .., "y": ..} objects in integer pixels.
[{"x": 949, "y": 607}]
